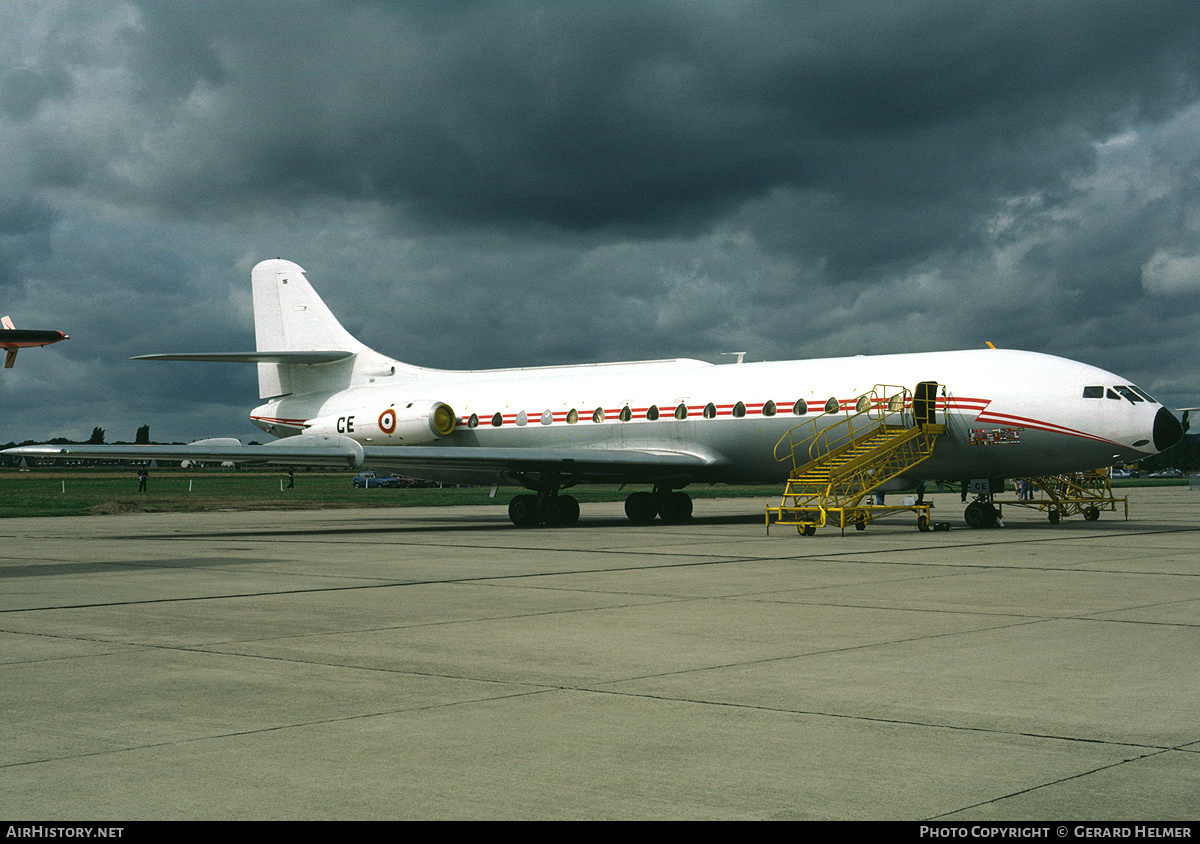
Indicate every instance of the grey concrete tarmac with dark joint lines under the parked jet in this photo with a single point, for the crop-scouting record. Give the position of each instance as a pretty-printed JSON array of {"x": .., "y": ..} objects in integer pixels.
[{"x": 439, "y": 663}]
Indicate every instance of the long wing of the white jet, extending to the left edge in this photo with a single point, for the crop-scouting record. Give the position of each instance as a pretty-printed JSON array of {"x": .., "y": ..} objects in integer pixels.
[{"x": 423, "y": 462}]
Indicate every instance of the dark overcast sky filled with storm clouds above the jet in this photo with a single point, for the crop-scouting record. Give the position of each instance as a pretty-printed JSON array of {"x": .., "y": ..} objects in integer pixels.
[{"x": 499, "y": 184}]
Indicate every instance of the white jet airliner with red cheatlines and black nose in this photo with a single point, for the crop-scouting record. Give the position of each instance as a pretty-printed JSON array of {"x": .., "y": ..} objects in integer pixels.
[{"x": 664, "y": 423}]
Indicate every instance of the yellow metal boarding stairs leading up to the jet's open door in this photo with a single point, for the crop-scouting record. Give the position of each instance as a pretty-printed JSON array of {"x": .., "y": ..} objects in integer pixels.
[{"x": 838, "y": 464}]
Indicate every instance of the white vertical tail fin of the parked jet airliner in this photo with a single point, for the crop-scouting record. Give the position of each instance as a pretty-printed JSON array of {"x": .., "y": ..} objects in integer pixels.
[{"x": 291, "y": 318}]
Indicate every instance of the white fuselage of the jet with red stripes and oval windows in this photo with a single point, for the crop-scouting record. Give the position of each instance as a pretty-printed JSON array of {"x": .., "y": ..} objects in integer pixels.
[{"x": 1007, "y": 414}]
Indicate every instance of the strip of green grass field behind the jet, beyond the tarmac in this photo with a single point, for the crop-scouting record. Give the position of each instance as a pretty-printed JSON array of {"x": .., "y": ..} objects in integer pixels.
[{"x": 73, "y": 492}]
